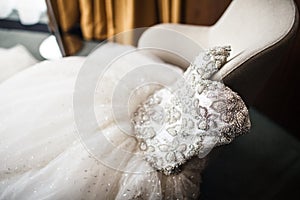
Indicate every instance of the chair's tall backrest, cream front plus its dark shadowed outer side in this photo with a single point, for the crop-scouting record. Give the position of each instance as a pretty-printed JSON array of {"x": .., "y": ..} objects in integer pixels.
[{"x": 259, "y": 31}]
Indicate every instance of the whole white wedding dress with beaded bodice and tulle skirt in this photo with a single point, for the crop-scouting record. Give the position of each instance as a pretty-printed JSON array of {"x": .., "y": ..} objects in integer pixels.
[{"x": 155, "y": 152}]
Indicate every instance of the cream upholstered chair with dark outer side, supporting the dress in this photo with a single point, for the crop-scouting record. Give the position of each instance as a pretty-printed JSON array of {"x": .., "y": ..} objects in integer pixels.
[{"x": 257, "y": 30}]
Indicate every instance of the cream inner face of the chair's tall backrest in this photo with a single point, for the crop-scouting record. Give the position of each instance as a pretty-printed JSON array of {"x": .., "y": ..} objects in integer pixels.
[{"x": 253, "y": 24}]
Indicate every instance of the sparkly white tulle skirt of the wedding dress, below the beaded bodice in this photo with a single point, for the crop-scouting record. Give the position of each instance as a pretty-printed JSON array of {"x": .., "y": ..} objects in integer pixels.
[{"x": 43, "y": 153}]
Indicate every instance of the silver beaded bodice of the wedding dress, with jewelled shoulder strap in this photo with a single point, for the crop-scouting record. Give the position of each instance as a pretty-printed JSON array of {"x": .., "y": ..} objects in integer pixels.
[{"x": 191, "y": 117}]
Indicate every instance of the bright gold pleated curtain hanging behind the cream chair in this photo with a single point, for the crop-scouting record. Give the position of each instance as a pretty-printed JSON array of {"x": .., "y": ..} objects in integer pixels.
[{"x": 101, "y": 19}]
